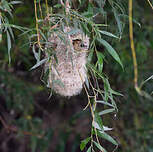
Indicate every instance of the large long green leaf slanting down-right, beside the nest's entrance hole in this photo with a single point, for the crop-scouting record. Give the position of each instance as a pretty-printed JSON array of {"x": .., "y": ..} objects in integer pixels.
[{"x": 111, "y": 51}]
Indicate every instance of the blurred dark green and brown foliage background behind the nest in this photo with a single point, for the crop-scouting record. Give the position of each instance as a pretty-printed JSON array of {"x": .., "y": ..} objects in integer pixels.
[{"x": 30, "y": 121}]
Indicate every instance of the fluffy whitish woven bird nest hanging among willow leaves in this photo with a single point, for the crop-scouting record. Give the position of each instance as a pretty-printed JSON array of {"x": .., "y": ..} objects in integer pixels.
[{"x": 67, "y": 73}]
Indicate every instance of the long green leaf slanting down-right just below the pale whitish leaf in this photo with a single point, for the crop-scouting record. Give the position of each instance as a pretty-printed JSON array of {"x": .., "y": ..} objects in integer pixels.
[{"x": 107, "y": 137}]
